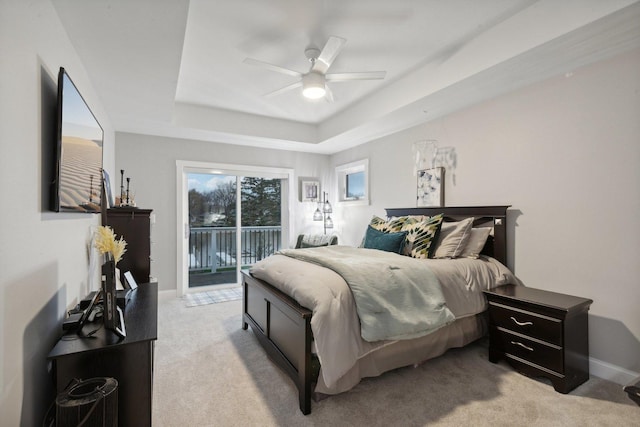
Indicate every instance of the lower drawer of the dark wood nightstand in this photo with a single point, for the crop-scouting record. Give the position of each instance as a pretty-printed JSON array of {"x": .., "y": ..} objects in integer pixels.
[{"x": 545, "y": 355}]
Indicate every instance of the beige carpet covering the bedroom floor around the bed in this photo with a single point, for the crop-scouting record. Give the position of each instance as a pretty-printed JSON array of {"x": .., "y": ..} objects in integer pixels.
[{"x": 209, "y": 372}]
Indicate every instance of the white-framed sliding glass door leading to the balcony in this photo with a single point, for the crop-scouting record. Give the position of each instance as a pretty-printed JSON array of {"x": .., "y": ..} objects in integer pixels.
[{"x": 232, "y": 217}]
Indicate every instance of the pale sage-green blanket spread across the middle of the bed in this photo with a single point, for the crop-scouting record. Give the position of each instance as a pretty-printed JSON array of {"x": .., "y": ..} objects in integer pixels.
[{"x": 397, "y": 297}]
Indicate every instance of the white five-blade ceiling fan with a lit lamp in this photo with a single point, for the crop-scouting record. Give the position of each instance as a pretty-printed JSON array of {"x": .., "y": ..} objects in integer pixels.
[{"x": 314, "y": 82}]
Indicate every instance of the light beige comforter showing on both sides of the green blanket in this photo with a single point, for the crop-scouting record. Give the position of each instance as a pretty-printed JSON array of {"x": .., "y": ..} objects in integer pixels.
[{"x": 335, "y": 324}]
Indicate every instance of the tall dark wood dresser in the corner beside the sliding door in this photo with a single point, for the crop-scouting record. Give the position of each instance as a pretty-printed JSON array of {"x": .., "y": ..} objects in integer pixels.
[{"x": 135, "y": 226}]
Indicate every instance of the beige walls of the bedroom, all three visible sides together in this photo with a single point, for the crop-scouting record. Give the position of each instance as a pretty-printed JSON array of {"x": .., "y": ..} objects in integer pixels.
[{"x": 564, "y": 153}]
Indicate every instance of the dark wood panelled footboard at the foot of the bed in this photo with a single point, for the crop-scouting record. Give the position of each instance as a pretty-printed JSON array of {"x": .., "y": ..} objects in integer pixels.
[{"x": 283, "y": 328}]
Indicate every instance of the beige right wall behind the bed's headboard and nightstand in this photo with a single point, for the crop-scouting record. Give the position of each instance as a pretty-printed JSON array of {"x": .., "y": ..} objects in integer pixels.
[{"x": 565, "y": 153}]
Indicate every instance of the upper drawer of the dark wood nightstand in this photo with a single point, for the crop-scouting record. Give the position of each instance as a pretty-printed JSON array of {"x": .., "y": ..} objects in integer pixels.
[{"x": 526, "y": 322}]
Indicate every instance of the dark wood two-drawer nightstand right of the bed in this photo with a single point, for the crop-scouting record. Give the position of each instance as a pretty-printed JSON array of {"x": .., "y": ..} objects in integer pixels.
[{"x": 540, "y": 333}]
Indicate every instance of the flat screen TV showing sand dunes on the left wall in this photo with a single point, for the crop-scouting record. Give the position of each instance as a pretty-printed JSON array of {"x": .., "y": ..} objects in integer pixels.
[{"x": 77, "y": 184}]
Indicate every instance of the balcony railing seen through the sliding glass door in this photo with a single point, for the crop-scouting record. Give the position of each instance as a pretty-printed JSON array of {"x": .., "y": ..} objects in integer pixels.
[{"x": 214, "y": 248}]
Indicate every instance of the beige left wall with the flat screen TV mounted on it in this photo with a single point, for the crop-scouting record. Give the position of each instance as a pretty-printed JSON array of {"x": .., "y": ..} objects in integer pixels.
[{"x": 43, "y": 255}]
